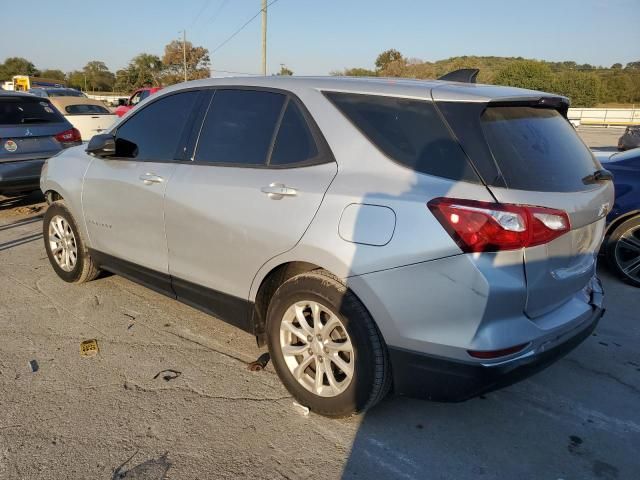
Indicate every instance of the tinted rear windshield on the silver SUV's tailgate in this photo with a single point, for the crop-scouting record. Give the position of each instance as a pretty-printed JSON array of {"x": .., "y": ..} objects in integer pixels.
[{"x": 536, "y": 149}]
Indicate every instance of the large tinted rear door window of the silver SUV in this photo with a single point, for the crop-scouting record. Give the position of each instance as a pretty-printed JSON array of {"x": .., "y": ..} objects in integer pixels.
[{"x": 239, "y": 127}]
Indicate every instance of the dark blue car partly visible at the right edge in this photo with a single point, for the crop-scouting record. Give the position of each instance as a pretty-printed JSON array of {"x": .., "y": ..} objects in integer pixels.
[{"x": 622, "y": 243}]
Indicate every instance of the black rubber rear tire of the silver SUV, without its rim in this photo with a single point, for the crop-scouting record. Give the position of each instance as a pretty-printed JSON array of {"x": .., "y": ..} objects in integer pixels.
[{"x": 371, "y": 379}]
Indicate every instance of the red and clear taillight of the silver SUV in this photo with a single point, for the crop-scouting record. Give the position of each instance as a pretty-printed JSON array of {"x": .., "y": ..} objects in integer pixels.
[{"x": 490, "y": 227}]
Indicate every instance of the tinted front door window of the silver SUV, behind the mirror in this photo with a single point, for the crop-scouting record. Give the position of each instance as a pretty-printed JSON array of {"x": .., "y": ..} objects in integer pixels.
[{"x": 154, "y": 133}]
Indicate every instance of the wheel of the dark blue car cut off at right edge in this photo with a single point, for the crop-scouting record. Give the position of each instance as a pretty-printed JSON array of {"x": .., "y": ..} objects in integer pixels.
[{"x": 622, "y": 255}]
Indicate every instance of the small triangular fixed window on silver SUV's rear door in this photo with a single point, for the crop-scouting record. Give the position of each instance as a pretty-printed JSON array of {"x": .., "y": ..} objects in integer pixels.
[{"x": 294, "y": 143}]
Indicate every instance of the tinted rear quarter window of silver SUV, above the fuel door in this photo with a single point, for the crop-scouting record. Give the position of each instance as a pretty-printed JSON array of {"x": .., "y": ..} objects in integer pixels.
[{"x": 408, "y": 131}]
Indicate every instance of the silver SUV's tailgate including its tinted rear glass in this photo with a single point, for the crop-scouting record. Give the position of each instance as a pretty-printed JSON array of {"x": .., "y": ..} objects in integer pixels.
[{"x": 530, "y": 154}]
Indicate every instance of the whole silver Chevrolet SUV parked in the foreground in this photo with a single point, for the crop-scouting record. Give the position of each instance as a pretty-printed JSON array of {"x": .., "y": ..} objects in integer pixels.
[{"x": 433, "y": 237}]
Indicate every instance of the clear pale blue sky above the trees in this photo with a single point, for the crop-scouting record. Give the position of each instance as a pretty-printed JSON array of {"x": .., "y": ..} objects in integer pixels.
[{"x": 316, "y": 37}]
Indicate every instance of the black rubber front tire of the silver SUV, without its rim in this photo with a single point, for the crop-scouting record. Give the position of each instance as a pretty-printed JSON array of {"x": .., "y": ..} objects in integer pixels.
[{"x": 85, "y": 269}]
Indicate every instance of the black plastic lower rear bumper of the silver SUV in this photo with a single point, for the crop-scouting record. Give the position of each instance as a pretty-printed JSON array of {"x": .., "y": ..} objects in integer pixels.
[{"x": 424, "y": 376}]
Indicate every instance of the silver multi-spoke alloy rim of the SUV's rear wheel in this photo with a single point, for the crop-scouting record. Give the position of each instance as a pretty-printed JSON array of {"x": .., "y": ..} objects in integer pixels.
[{"x": 317, "y": 348}]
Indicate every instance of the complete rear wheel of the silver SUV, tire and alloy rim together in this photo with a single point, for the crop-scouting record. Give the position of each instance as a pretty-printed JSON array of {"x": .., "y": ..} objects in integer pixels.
[{"x": 344, "y": 323}]
